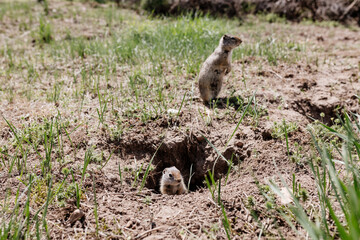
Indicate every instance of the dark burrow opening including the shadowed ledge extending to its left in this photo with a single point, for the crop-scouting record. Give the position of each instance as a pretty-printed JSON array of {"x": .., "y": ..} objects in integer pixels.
[{"x": 187, "y": 153}]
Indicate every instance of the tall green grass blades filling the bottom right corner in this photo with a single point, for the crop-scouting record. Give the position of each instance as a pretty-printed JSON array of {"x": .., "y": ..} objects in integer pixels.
[{"x": 337, "y": 182}]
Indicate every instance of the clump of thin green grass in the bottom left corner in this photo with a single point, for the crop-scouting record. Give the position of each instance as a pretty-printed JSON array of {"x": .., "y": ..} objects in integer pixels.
[{"x": 24, "y": 215}]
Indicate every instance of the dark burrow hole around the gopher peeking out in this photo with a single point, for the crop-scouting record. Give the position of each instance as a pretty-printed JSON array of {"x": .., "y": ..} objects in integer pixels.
[{"x": 192, "y": 155}]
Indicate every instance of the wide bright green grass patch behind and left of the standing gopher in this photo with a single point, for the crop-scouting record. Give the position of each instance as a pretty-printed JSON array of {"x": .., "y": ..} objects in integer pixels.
[{"x": 185, "y": 40}]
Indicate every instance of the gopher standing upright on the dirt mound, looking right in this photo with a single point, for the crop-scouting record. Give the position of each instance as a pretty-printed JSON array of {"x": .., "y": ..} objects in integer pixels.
[{"x": 216, "y": 66}]
